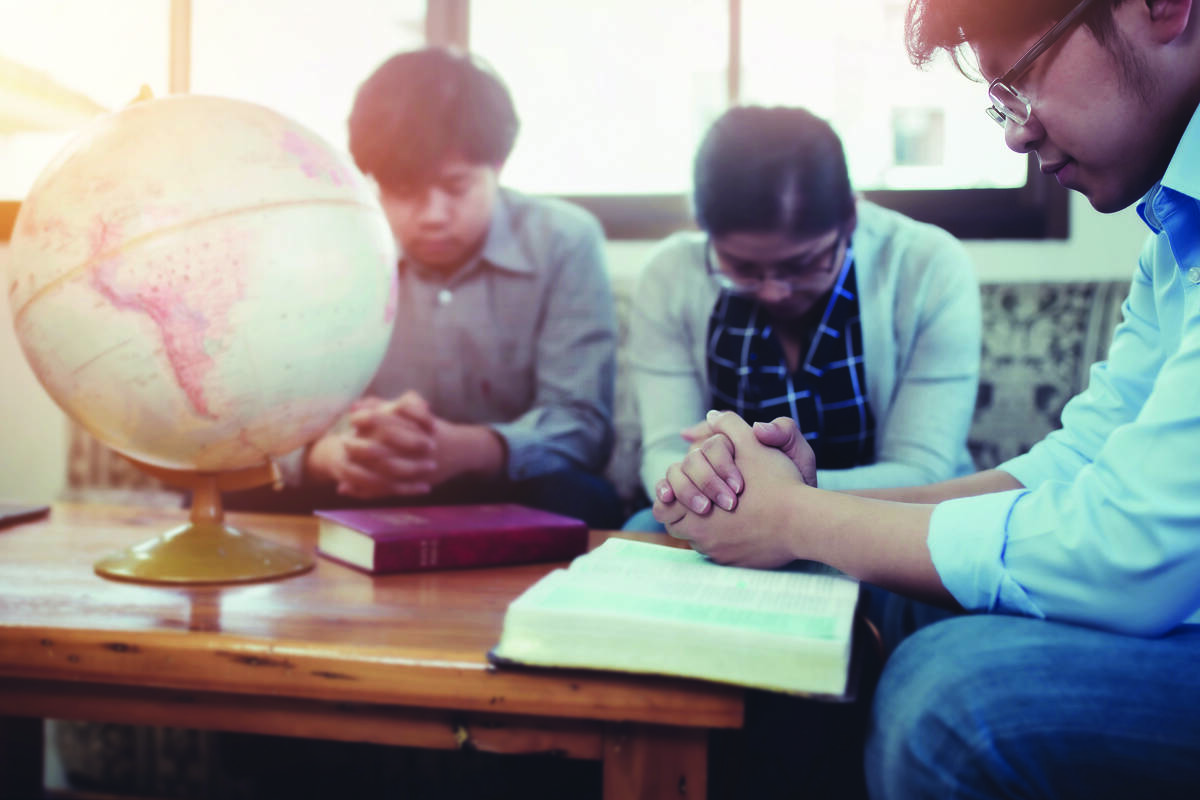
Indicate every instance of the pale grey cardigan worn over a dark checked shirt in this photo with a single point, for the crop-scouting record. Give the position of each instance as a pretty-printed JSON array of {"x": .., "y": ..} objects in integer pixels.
[{"x": 921, "y": 322}]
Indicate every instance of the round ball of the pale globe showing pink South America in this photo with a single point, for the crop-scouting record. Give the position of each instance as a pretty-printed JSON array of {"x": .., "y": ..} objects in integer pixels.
[{"x": 202, "y": 284}]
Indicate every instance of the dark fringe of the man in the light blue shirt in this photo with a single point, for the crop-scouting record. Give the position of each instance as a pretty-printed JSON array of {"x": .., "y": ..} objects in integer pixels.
[{"x": 951, "y": 26}]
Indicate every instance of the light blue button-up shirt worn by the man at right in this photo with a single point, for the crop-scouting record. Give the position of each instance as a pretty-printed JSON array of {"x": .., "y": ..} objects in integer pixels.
[{"x": 1107, "y": 532}]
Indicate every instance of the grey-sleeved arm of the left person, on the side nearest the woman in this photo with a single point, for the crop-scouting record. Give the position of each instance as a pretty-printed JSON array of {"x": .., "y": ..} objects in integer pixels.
[{"x": 569, "y": 424}]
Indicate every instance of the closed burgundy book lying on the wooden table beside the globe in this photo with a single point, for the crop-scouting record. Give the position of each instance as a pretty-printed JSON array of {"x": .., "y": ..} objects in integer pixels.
[{"x": 412, "y": 539}]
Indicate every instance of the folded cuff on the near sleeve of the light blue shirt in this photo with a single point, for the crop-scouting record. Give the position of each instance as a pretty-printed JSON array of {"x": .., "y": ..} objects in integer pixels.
[{"x": 967, "y": 543}]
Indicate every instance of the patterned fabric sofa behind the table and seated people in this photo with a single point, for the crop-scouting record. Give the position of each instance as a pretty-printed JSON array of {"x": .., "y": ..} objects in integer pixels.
[{"x": 1040, "y": 340}]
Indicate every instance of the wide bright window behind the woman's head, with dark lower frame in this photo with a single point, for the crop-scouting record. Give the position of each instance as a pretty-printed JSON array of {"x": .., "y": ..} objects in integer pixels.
[{"x": 615, "y": 98}]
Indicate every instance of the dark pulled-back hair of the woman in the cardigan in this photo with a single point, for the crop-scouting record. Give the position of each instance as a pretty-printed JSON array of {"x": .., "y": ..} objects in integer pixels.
[{"x": 771, "y": 170}]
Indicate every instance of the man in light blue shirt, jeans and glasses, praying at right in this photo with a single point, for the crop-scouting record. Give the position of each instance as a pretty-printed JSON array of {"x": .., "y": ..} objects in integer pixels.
[{"x": 1078, "y": 675}]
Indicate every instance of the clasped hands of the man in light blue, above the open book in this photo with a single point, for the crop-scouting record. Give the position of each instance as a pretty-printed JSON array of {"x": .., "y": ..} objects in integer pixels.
[{"x": 729, "y": 496}]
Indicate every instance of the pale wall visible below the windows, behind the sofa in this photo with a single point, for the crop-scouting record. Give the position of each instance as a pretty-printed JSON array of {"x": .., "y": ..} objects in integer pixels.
[{"x": 33, "y": 431}]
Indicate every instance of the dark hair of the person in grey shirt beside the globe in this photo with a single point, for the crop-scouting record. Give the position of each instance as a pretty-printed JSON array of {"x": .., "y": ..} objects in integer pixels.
[{"x": 419, "y": 107}]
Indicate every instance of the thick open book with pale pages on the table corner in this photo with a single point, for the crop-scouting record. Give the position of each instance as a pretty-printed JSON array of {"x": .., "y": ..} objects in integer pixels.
[{"x": 652, "y": 609}]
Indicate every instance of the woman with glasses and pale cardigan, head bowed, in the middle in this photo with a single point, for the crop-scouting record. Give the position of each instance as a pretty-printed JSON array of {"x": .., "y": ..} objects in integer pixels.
[{"x": 796, "y": 299}]
